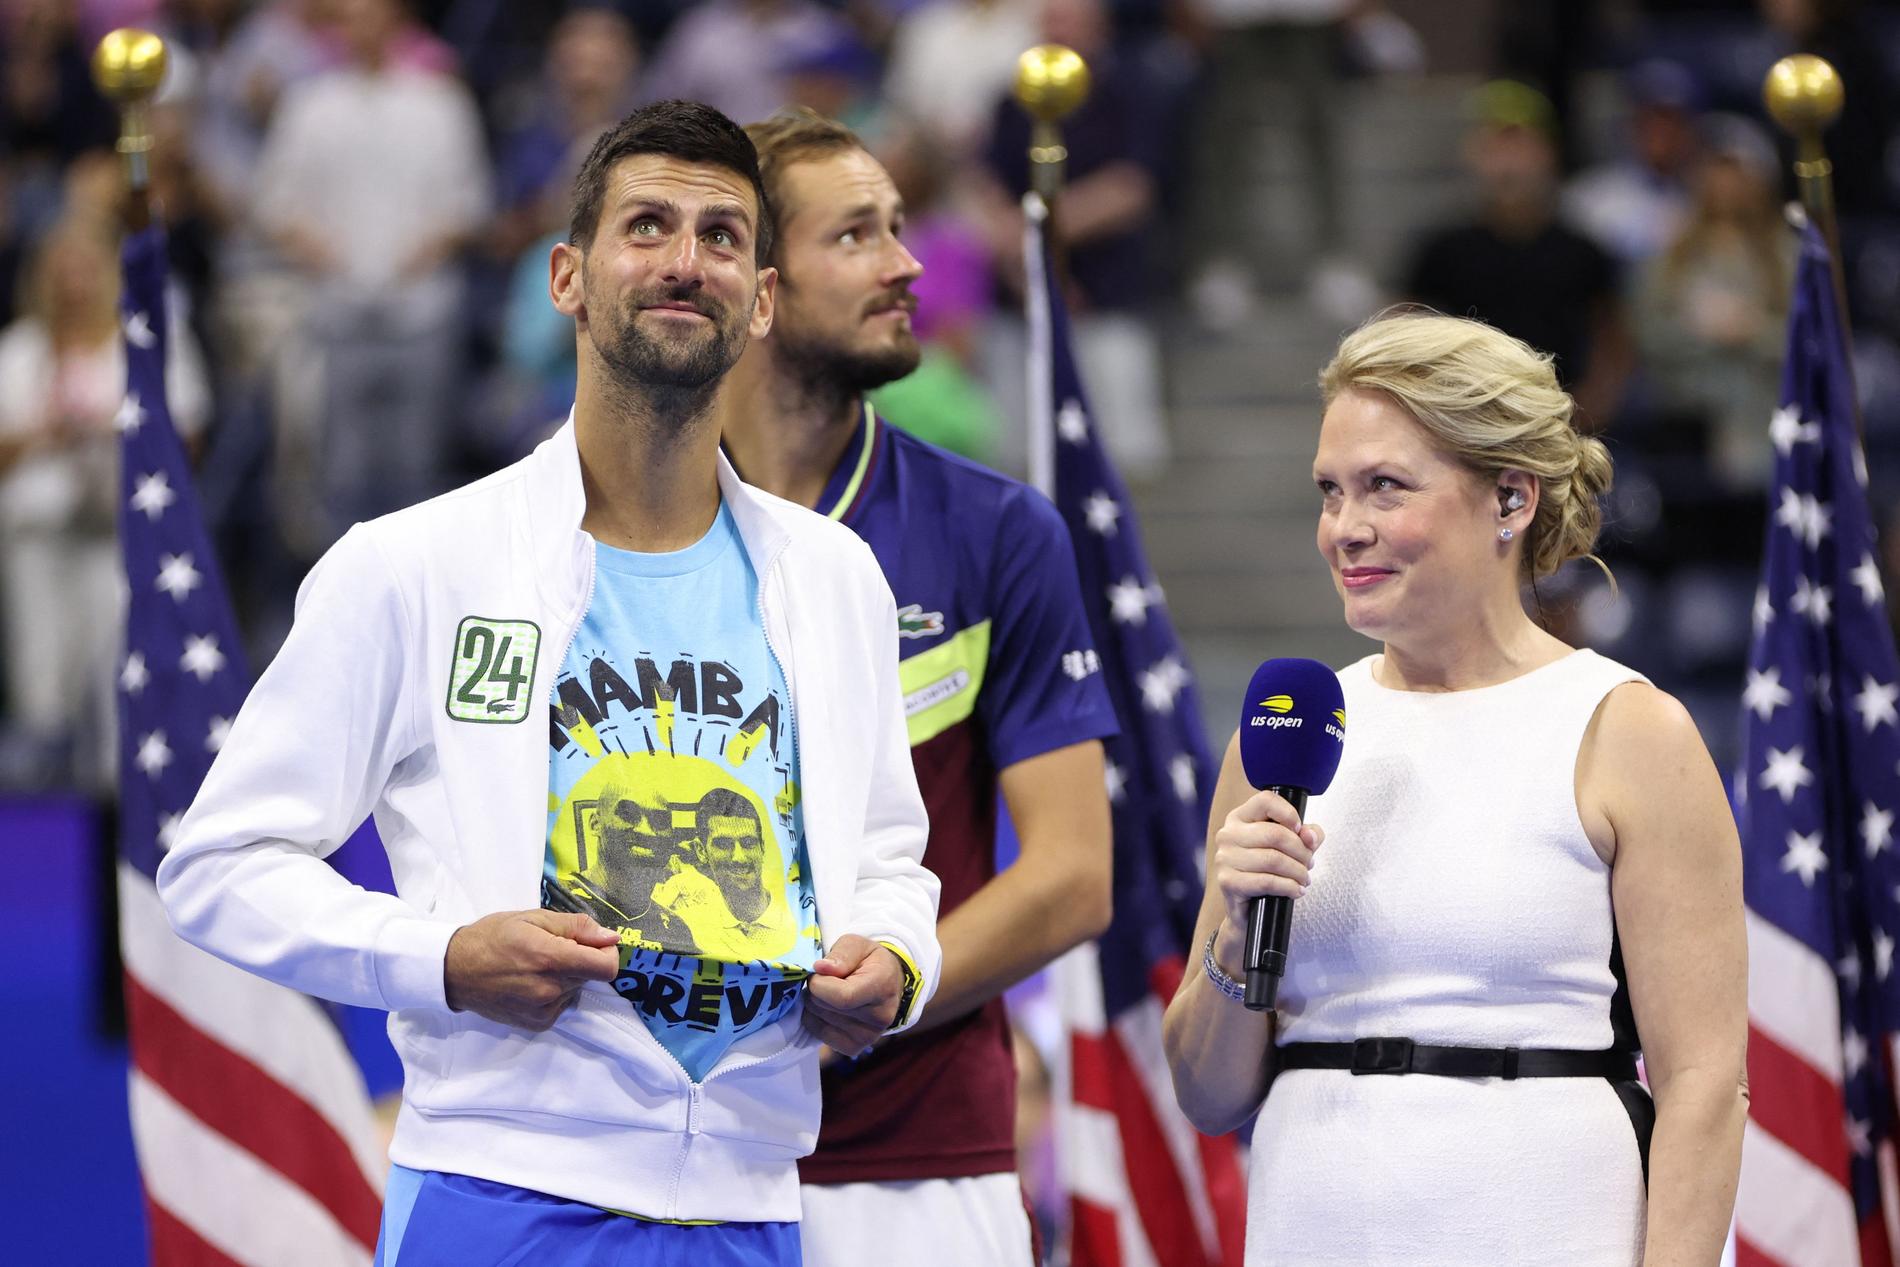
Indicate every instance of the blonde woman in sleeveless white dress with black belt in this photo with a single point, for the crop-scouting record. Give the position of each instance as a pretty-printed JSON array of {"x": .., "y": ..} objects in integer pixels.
[{"x": 1529, "y": 873}]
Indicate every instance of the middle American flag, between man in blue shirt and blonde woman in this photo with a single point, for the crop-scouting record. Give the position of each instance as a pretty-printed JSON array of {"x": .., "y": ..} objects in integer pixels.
[{"x": 1147, "y": 1190}]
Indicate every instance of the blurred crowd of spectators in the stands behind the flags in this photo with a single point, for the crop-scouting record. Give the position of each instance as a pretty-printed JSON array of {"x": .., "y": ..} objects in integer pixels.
[{"x": 362, "y": 197}]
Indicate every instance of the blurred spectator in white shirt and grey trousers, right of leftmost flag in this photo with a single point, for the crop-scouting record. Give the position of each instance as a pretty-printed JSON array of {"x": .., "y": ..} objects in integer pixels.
[{"x": 371, "y": 181}]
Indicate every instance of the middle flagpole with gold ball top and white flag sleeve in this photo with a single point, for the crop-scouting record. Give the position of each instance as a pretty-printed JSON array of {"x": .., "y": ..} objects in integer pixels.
[{"x": 1052, "y": 83}]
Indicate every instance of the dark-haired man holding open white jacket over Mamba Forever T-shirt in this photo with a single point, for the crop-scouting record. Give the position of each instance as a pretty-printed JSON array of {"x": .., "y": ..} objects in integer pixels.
[{"x": 535, "y": 685}]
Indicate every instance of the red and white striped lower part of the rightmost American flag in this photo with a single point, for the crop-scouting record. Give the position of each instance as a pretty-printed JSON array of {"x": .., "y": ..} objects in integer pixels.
[{"x": 1795, "y": 1207}]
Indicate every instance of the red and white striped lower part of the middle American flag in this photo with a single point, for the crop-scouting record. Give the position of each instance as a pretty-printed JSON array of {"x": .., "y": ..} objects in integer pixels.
[{"x": 1147, "y": 1190}]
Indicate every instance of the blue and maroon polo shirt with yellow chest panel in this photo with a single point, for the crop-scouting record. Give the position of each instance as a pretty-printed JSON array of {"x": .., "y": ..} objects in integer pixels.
[{"x": 997, "y": 666}]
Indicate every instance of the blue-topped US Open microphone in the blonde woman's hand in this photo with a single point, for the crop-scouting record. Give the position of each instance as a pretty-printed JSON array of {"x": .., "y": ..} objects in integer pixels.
[{"x": 1293, "y": 730}]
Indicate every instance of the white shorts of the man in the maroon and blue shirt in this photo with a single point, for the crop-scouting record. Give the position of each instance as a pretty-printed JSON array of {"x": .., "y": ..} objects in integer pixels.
[{"x": 976, "y": 1222}]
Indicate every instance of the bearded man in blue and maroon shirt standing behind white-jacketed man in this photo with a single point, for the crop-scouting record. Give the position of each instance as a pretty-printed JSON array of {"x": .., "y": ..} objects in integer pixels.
[{"x": 1002, "y": 694}]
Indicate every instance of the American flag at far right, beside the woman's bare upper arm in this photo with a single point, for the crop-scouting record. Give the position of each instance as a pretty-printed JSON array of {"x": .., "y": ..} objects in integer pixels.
[{"x": 1817, "y": 799}]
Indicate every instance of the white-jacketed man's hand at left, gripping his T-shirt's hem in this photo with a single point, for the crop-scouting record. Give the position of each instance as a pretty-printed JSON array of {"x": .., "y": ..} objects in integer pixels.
[{"x": 525, "y": 968}]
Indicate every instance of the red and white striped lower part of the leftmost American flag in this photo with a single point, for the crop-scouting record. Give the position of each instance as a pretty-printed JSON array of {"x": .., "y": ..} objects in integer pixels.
[{"x": 250, "y": 1116}]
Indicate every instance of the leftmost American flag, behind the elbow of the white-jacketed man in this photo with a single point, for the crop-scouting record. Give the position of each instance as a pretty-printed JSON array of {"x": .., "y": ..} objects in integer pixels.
[{"x": 250, "y": 1116}]
